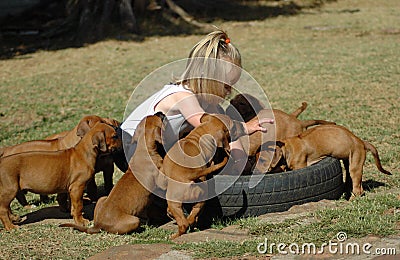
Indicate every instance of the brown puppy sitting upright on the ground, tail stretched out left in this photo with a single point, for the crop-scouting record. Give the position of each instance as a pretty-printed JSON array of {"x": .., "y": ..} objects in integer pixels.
[{"x": 118, "y": 213}]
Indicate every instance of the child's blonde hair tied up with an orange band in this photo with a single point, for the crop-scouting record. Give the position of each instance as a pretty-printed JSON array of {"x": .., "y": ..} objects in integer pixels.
[{"x": 210, "y": 61}]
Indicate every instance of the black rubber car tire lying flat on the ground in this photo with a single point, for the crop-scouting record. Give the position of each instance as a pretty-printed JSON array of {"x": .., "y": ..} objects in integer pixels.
[{"x": 275, "y": 192}]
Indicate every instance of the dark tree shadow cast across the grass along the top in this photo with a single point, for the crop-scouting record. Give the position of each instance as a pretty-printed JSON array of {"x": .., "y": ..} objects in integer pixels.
[{"x": 30, "y": 32}]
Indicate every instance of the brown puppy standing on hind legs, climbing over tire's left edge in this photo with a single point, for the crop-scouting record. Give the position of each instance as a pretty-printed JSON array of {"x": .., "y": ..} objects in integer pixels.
[{"x": 190, "y": 160}]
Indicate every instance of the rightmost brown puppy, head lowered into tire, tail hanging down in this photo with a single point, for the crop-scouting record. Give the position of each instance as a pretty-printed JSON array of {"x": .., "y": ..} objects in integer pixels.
[{"x": 316, "y": 143}]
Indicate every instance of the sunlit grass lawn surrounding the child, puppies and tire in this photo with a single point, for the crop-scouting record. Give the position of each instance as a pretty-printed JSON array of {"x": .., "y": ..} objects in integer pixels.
[{"x": 344, "y": 64}]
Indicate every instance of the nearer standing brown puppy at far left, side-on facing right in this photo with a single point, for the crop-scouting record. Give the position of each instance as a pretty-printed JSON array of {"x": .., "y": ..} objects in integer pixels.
[{"x": 55, "y": 171}]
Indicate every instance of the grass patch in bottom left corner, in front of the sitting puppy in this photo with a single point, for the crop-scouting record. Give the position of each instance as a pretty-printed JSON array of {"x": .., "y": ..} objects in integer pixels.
[{"x": 47, "y": 241}]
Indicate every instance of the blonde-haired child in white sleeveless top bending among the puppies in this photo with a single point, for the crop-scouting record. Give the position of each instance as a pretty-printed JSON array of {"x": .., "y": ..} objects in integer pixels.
[{"x": 214, "y": 65}]
